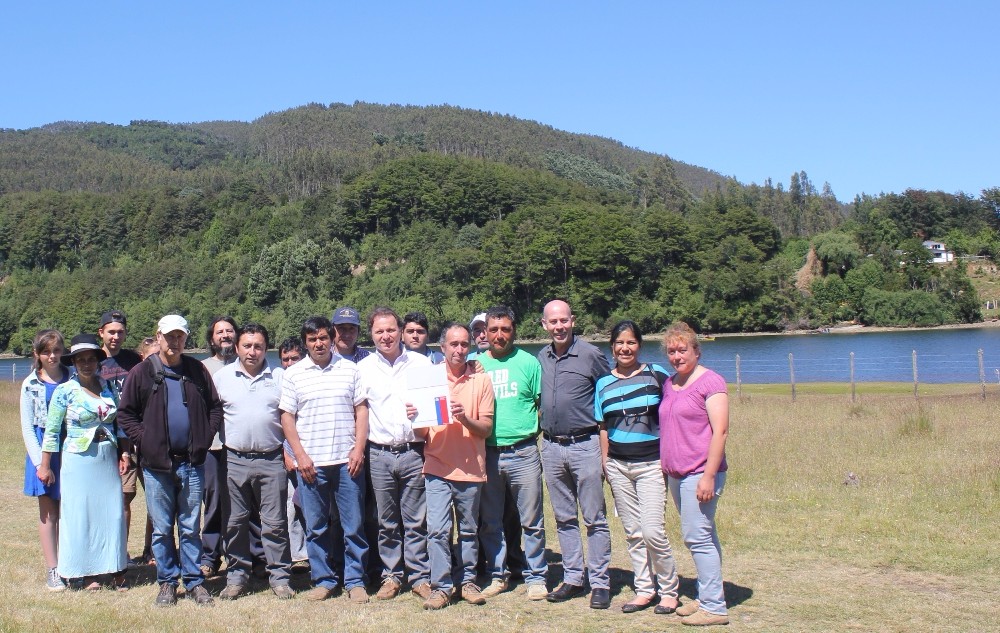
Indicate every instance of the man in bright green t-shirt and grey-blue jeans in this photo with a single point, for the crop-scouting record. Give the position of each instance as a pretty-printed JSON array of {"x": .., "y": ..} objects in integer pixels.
[{"x": 513, "y": 464}]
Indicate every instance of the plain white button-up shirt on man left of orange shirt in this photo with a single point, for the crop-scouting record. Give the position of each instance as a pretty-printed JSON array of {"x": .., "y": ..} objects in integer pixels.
[{"x": 384, "y": 386}]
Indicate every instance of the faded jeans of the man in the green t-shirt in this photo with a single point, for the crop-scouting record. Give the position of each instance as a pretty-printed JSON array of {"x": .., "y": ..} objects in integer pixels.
[{"x": 517, "y": 474}]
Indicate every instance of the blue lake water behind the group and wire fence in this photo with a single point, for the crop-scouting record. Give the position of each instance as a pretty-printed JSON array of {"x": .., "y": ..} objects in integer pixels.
[{"x": 943, "y": 356}]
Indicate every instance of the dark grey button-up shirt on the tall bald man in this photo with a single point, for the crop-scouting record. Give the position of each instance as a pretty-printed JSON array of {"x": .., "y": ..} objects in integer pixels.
[{"x": 568, "y": 387}]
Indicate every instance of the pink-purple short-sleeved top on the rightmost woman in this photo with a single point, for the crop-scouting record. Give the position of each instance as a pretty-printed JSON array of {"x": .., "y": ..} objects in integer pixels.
[{"x": 685, "y": 432}]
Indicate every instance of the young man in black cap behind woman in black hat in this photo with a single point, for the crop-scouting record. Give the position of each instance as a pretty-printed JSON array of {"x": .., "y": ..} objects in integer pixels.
[{"x": 113, "y": 329}]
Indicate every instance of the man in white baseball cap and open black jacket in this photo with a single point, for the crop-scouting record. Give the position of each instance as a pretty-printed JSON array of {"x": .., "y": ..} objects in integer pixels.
[{"x": 171, "y": 411}]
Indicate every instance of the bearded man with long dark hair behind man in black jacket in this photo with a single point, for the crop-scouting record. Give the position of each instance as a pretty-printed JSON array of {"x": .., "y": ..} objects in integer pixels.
[{"x": 221, "y": 339}]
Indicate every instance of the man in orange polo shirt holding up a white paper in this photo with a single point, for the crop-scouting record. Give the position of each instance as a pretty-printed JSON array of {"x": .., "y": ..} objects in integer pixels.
[{"x": 455, "y": 469}]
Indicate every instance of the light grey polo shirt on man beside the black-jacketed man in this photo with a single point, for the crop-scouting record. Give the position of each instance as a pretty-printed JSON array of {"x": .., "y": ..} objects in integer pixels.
[{"x": 252, "y": 419}]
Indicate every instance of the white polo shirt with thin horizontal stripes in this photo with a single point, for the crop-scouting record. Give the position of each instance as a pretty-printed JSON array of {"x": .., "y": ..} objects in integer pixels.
[{"x": 322, "y": 399}]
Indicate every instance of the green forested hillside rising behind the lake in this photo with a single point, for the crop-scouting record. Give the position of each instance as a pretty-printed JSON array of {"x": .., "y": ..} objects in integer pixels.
[{"x": 448, "y": 211}]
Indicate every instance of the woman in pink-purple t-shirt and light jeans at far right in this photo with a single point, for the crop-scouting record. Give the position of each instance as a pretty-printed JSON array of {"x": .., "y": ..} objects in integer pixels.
[{"x": 694, "y": 423}]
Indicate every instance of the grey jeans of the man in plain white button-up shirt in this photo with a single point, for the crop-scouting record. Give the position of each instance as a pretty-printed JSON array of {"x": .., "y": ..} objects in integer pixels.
[{"x": 398, "y": 481}]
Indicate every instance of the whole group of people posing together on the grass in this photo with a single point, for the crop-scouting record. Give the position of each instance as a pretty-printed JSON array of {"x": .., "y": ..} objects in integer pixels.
[{"x": 327, "y": 448}]
